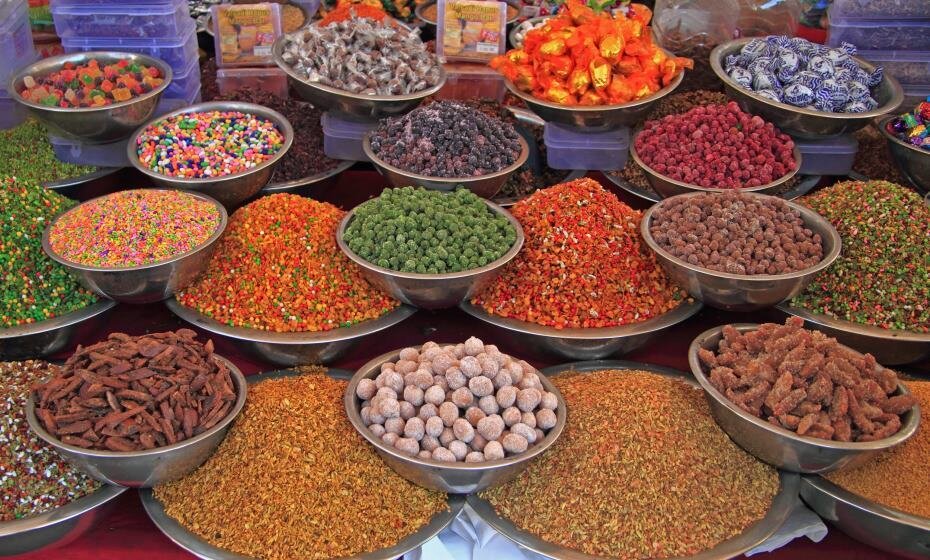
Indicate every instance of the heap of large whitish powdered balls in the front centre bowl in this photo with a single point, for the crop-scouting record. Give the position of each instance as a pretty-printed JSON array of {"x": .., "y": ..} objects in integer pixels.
[{"x": 463, "y": 402}]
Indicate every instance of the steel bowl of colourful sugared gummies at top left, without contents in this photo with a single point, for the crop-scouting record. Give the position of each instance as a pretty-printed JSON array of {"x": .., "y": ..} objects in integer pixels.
[{"x": 92, "y": 125}]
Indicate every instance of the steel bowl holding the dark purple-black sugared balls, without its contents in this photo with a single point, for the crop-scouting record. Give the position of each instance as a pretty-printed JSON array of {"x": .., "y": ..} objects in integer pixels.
[{"x": 485, "y": 186}]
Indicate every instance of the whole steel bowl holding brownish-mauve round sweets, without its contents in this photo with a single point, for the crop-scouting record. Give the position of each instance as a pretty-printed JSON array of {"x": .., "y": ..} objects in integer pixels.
[{"x": 742, "y": 292}]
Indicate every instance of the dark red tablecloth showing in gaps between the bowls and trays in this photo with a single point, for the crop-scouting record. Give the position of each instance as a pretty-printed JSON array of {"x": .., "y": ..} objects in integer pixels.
[{"x": 127, "y": 532}]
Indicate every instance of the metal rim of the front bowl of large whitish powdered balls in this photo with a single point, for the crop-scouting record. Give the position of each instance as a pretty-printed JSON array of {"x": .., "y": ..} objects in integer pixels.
[{"x": 370, "y": 369}]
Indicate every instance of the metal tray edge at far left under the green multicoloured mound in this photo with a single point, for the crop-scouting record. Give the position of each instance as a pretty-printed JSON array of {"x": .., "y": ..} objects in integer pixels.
[{"x": 44, "y": 338}]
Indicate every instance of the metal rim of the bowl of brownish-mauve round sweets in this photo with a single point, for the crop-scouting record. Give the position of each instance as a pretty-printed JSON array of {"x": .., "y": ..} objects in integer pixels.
[{"x": 809, "y": 216}]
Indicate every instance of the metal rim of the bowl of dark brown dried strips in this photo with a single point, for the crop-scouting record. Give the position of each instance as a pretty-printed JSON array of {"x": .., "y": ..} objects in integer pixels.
[{"x": 238, "y": 381}]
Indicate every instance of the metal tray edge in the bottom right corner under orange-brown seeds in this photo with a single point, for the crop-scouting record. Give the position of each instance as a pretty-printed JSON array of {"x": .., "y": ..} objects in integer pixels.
[{"x": 884, "y": 528}]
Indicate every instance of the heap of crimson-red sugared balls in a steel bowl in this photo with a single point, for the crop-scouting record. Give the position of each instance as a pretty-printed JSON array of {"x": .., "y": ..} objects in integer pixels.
[{"x": 717, "y": 146}]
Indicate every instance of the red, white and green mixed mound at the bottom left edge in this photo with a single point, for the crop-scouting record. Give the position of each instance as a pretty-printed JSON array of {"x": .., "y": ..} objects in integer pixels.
[{"x": 33, "y": 476}]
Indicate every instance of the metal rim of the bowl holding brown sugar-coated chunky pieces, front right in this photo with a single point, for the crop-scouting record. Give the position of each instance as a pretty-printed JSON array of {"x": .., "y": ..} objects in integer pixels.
[{"x": 909, "y": 423}]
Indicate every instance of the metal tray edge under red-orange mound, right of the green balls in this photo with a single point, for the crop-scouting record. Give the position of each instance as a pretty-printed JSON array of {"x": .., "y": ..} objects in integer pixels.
[{"x": 585, "y": 344}]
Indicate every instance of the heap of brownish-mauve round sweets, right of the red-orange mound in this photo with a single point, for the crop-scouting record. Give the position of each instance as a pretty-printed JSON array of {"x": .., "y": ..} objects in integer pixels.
[{"x": 735, "y": 233}]
